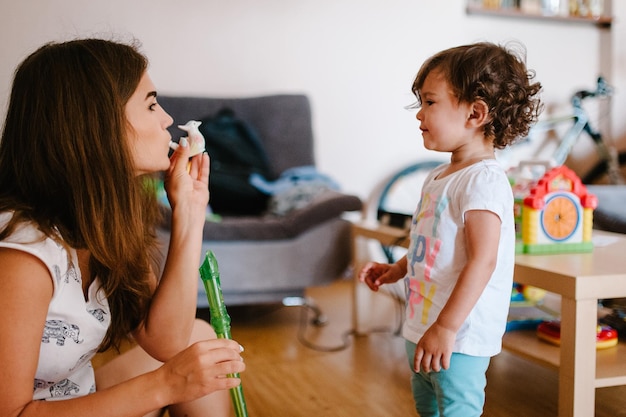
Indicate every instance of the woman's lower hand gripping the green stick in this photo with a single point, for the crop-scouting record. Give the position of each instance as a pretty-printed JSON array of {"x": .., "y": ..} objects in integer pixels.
[{"x": 201, "y": 369}]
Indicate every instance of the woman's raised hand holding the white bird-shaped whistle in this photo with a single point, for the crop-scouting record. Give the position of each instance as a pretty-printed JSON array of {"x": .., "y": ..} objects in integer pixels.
[{"x": 187, "y": 181}]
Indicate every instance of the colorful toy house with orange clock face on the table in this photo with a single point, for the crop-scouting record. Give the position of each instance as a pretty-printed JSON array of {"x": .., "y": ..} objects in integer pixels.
[{"x": 554, "y": 214}]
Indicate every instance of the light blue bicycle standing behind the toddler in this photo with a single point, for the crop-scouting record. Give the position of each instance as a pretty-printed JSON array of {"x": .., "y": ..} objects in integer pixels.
[{"x": 400, "y": 193}]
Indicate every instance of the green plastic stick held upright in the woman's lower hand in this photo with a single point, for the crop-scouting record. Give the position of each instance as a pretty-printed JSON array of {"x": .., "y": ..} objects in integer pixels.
[{"x": 220, "y": 320}]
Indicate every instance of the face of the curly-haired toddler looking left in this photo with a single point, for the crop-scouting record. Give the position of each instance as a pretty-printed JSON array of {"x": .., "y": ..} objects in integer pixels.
[{"x": 443, "y": 120}]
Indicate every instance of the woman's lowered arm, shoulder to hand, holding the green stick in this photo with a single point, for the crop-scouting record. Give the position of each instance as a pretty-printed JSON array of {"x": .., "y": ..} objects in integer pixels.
[{"x": 25, "y": 292}]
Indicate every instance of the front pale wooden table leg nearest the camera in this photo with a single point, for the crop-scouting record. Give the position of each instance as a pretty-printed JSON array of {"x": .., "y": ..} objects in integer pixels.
[{"x": 577, "y": 372}]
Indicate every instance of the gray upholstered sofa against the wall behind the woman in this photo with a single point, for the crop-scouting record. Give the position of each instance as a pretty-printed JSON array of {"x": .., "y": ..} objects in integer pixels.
[{"x": 270, "y": 258}]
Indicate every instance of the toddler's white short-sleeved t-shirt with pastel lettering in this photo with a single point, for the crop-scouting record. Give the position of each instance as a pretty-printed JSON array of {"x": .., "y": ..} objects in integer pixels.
[{"x": 438, "y": 253}]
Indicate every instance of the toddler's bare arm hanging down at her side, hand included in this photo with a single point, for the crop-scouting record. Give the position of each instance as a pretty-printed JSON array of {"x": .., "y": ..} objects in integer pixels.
[{"x": 482, "y": 236}]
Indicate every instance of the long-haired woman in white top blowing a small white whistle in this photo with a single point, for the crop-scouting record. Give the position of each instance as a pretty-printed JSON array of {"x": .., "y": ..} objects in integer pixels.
[{"x": 78, "y": 247}]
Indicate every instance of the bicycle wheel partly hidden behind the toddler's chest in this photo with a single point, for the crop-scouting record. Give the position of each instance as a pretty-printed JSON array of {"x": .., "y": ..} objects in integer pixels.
[{"x": 399, "y": 198}]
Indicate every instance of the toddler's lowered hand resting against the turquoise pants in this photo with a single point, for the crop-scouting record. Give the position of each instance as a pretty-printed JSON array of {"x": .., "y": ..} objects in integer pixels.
[{"x": 434, "y": 349}]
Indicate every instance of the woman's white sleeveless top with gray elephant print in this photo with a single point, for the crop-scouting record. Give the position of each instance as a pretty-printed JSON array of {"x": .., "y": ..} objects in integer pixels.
[{"x": 75, "y": 326}]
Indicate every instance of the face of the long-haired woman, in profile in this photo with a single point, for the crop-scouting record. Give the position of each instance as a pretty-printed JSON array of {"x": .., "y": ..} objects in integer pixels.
[{"x": 147, "y": 133}]
